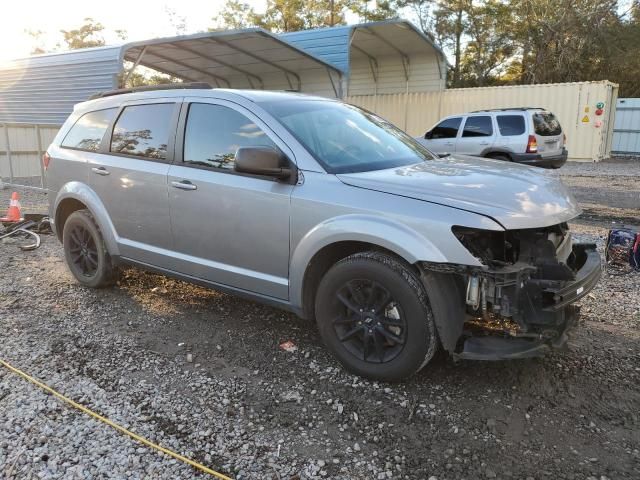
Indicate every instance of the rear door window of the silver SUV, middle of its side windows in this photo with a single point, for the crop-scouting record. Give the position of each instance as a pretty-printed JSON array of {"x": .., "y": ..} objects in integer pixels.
[{"x": 143, "y": 130}]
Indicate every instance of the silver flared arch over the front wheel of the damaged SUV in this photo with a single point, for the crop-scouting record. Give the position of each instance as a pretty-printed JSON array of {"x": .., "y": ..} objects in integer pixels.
[{"x": 386, "y": 233}]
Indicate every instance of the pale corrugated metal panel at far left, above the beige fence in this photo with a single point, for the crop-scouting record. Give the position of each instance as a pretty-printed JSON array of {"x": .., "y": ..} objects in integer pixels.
[{"x": 44, "y": 88}]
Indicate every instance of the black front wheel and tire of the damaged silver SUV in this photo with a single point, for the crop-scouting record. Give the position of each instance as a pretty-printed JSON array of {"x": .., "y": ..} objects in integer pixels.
[{"x": 374, "y": 315}]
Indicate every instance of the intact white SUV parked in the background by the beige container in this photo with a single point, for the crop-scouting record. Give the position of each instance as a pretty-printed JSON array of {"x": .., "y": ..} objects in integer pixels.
[{"x": 525, "y": 135}]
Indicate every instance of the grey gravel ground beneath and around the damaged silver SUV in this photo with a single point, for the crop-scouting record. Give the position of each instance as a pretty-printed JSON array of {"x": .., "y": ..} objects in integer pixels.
[{"x": 202, "y": 373}]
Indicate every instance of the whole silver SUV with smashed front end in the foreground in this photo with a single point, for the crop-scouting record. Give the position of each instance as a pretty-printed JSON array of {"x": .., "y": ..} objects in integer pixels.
[{"x": 325, "y": 210}]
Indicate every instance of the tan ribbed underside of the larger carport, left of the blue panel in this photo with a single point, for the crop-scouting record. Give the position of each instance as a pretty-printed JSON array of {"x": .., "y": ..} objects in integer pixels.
[{"x": 248, "y": 58}]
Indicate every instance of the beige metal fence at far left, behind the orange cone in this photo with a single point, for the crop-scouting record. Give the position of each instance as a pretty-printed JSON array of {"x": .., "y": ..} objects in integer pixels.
[{"x": 21, "y": 148}]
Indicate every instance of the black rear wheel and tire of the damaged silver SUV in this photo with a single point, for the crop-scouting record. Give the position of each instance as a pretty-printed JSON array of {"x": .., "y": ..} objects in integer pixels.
[{"x": 85, "y": 251}]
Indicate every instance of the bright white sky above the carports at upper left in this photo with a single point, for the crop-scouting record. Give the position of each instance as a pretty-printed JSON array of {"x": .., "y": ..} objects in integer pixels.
[{"x": 142, "y": 19}]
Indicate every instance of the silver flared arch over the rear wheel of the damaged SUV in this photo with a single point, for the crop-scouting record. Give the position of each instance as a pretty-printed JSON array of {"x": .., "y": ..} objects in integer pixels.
[{"x": 83, "y": 193}]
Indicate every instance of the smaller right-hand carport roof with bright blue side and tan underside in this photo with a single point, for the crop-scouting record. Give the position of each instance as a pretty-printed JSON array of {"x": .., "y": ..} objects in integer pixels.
[{"x": 388, "y": 37}]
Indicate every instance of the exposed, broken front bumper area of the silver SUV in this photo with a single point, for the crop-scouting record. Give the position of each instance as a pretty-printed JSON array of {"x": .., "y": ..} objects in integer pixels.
[{"x": 521, "y": 310}]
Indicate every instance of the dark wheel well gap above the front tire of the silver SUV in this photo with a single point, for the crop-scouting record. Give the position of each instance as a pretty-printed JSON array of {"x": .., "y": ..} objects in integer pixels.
[{"x": 323, "y": 260}]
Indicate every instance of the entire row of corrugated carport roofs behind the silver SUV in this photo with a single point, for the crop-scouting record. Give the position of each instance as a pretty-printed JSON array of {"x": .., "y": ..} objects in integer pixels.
[{"x": 44, "y": 88}]
